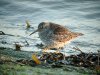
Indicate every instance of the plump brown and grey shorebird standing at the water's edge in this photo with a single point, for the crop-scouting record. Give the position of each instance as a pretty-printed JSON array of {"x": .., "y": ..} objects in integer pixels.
[{"x": 55, "y": 35}]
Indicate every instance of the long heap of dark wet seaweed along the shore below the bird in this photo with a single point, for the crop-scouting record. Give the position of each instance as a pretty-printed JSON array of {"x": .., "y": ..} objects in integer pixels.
[{"x": 82, "y": 60}]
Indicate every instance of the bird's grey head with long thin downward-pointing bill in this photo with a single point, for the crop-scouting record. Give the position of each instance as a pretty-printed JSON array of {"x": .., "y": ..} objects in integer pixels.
[{"x": 41, "y": 26}]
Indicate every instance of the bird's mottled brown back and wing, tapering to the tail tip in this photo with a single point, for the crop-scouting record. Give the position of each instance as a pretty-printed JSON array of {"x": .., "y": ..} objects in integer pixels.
[{"x": 62, "y": 34}]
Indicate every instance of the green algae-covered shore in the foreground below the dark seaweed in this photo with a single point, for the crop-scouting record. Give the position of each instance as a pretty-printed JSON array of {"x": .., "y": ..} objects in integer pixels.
[{"x": 11, "y": 57}]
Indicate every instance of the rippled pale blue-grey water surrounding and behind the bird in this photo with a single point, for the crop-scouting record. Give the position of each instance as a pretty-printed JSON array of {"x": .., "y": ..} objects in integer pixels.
[{"x": 78, "y": 15}]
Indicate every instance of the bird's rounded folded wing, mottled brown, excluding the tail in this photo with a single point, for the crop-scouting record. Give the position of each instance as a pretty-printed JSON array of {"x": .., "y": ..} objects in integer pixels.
[{"x": 60, "y": 33}]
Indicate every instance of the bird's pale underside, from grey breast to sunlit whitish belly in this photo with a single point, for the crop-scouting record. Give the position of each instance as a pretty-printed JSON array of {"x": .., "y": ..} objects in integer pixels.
[{"x": 49, "y": 42}]
